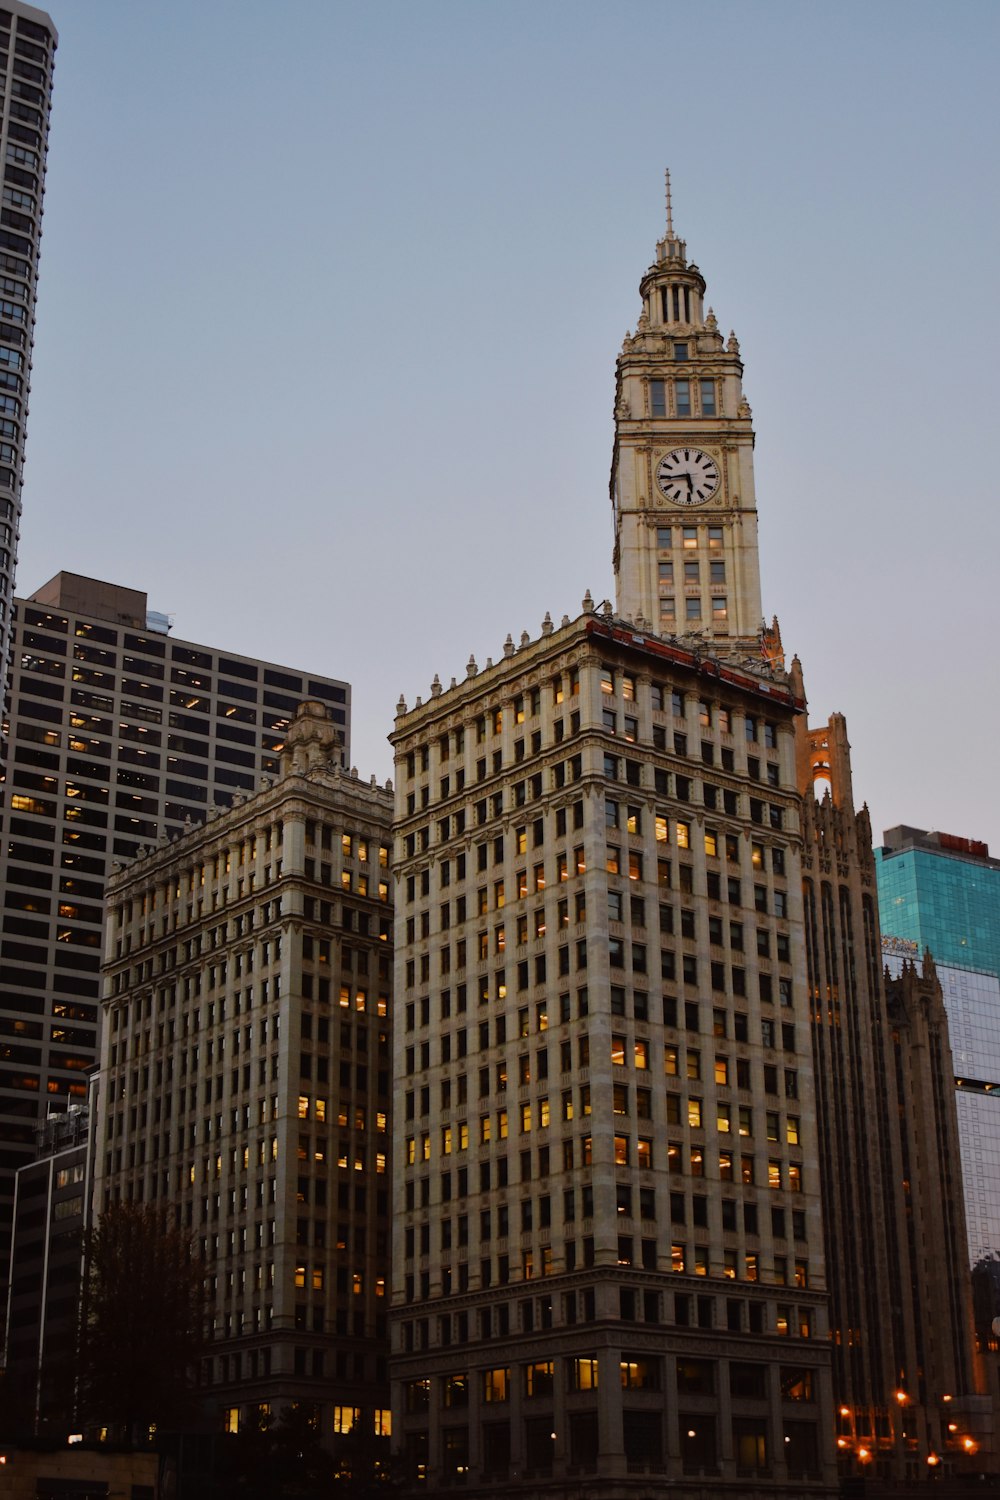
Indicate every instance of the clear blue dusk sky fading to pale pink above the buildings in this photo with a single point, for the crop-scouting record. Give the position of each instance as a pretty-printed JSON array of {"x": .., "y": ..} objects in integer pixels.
[{"x": 331, "y": 301}]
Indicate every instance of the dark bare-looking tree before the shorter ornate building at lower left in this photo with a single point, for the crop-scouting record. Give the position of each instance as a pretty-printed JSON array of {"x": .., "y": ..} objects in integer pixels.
[{"x": 143, "y": 1322}]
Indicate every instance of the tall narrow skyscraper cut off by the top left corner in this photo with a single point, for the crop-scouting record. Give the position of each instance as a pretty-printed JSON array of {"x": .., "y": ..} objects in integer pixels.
[{"x": 28, "y": 59}]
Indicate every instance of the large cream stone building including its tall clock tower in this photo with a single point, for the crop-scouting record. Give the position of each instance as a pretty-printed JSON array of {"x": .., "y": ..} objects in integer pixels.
[{"x": 609, "y": 1267}]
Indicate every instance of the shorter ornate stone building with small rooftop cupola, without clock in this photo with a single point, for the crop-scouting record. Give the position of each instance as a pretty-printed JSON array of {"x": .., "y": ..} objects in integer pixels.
[{"x": 245, "y": 1079}]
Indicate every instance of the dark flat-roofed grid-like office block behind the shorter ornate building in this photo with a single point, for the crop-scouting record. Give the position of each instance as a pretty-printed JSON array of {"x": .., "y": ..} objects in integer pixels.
[{"x": 119, "y": 736}]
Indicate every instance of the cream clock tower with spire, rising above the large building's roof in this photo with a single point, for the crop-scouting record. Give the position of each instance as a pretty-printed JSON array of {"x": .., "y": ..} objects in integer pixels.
[{"x": 683, "y": 476}]
